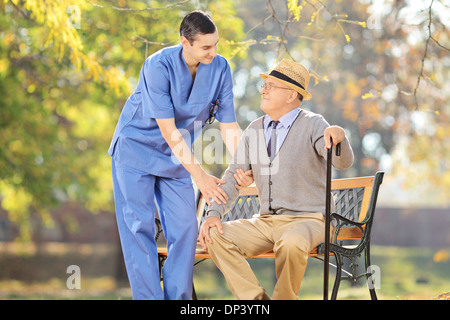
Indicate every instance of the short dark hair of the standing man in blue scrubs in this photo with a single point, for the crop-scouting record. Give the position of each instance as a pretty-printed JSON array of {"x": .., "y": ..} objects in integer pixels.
[{"x": 195, "y": 23}]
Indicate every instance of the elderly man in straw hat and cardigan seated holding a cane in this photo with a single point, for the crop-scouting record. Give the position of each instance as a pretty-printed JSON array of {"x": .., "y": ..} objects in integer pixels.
[{"x": 286, "y": 150}]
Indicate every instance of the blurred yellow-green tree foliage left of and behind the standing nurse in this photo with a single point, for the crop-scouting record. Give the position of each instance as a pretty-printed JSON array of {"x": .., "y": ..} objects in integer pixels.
[{"x": 66, "y": 69}]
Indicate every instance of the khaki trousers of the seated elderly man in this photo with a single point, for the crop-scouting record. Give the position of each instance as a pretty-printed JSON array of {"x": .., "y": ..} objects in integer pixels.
[{"x": 290, "y": 237}]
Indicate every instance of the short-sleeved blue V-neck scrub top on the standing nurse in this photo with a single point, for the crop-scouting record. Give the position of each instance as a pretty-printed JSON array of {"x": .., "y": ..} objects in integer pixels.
[{"x": 166, "y": 90}]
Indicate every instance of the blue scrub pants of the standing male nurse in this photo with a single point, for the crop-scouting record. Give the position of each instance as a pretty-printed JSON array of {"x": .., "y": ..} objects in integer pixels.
[{"x": 135, "y": 194}]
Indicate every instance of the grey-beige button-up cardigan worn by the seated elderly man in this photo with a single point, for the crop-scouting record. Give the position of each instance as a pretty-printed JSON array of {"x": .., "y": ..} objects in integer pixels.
[{"x": 295, "y": 181}]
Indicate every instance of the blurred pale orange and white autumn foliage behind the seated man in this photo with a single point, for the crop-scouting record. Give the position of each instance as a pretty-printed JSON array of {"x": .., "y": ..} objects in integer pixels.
[{"x": 380, "y": 69}]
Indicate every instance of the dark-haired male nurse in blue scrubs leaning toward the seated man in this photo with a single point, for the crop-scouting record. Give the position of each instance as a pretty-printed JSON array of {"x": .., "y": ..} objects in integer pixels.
[{"x": 180, "y": 89}]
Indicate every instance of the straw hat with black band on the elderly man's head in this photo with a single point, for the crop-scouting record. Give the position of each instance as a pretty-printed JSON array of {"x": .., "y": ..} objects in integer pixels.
[{"x": 292, "y": 74}]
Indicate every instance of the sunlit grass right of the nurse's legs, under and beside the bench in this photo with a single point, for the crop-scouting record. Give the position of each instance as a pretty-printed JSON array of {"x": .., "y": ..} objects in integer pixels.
[{"x": 406, "y": 274}]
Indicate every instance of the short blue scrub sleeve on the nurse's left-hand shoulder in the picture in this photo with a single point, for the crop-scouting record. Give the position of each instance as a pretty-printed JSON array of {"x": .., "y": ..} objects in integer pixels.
[{"x": 155, "y": 86}]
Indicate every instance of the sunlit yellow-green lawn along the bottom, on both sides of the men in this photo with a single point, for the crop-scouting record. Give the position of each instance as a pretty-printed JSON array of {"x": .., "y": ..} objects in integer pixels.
[{"x": 406, "y": 274}]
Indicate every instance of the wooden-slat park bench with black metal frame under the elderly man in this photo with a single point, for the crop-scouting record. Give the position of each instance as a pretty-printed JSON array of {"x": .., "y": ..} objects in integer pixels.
[{"x": 355, "y": 200}]
